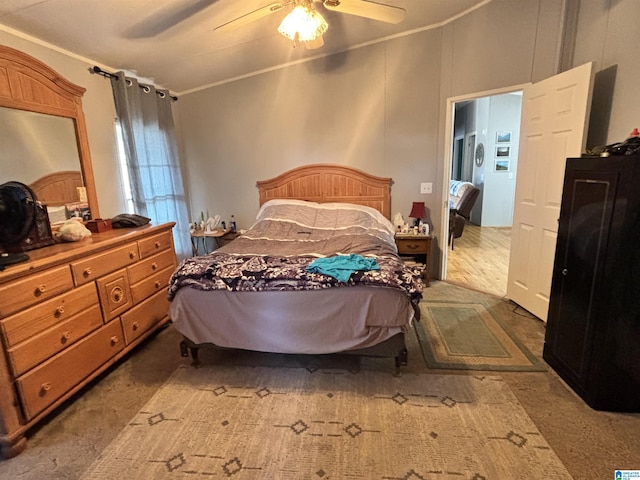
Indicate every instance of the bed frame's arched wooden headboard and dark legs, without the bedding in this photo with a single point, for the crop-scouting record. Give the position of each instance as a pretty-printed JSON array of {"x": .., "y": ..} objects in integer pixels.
[{"x": 325, "y": 183}]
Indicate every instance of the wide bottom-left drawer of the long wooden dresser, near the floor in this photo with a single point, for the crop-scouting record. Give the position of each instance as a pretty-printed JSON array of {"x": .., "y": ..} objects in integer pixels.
[{"x": 46, "y": 383}]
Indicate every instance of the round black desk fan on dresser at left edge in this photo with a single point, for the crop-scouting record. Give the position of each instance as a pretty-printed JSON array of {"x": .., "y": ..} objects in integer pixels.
[{"x": 17, "y": 216}]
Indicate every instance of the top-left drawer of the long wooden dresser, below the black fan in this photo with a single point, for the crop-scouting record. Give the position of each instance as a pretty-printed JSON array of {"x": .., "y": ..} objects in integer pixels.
[{"x": 34, "y": 289}]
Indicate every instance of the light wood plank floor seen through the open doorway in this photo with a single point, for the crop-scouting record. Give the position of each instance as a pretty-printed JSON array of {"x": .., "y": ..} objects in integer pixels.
[{"x": 480, "y": 259}]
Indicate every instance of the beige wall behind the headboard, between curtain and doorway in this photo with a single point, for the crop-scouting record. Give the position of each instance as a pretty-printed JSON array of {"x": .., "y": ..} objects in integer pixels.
[{"x": 369, "y": 108}]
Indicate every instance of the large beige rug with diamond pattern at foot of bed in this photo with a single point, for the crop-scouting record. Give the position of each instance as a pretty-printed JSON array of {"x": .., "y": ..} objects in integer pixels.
[{"x": 292, "y": 423}]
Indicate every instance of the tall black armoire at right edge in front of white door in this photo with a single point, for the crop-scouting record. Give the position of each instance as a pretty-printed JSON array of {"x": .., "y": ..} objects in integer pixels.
[{"x": 593, "y": 327}]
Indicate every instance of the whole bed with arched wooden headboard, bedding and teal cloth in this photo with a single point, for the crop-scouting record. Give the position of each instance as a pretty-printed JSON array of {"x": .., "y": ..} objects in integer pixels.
[{"x": 277, "y": 287}]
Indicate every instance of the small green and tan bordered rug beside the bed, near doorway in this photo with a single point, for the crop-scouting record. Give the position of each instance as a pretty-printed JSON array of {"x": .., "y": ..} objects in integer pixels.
[{"x": 467, "y": 336}]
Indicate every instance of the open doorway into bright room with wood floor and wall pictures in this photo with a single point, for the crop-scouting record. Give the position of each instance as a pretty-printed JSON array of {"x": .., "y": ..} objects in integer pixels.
[{"x": 487, "y": 122}]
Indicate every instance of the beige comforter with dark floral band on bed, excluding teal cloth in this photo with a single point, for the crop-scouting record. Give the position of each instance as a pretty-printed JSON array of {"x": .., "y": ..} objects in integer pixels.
[{"x": 275, "y": 253}]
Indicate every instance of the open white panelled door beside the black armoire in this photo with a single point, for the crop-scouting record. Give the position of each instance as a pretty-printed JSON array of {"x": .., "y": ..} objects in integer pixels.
[{"x": 555, "y": 113}]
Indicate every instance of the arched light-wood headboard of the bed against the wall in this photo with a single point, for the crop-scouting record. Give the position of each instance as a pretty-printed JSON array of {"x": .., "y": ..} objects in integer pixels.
[{"x": 324, "y": 183}]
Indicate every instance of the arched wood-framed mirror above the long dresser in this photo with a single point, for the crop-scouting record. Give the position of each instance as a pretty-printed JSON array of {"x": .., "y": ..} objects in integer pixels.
[{"x": 45, "y": 142}]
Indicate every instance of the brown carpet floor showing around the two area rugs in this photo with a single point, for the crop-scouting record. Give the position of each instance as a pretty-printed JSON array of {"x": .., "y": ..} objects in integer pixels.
[{"x": 590, "y": 444}]
